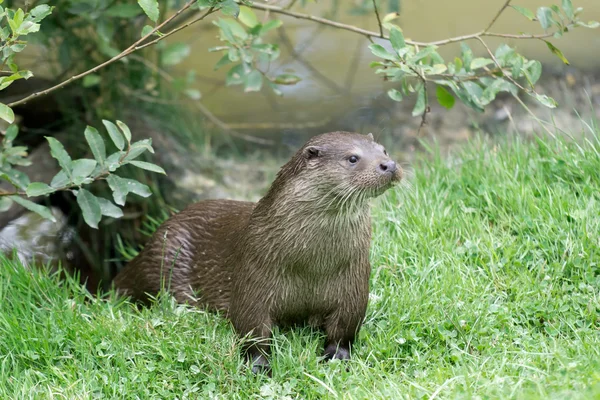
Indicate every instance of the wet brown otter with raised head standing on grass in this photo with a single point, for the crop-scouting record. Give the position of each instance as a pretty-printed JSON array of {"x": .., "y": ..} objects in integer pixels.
[{"x": 300, "y": 254}]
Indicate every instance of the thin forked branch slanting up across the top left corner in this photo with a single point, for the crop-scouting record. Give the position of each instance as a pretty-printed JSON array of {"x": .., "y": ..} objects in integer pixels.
[{"x": 134, "y": 47}]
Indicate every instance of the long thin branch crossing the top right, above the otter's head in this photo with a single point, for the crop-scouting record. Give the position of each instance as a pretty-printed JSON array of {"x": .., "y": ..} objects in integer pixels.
[{"x": 371, "y": 34}]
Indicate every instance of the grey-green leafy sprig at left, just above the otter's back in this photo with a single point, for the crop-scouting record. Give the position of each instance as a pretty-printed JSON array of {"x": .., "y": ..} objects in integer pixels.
[{"x": 75, "y": 174}]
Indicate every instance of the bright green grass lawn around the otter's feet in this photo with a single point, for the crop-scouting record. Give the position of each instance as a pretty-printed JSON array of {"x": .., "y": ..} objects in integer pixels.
[{"x": 485, "y": 284}]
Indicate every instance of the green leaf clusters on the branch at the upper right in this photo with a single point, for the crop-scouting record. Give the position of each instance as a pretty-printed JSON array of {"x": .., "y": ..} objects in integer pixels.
[{"x": 475, "y": 81}]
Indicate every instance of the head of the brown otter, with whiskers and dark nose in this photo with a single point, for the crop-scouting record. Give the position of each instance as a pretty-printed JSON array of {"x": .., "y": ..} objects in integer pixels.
[{"x": 346, "y": 166}]
